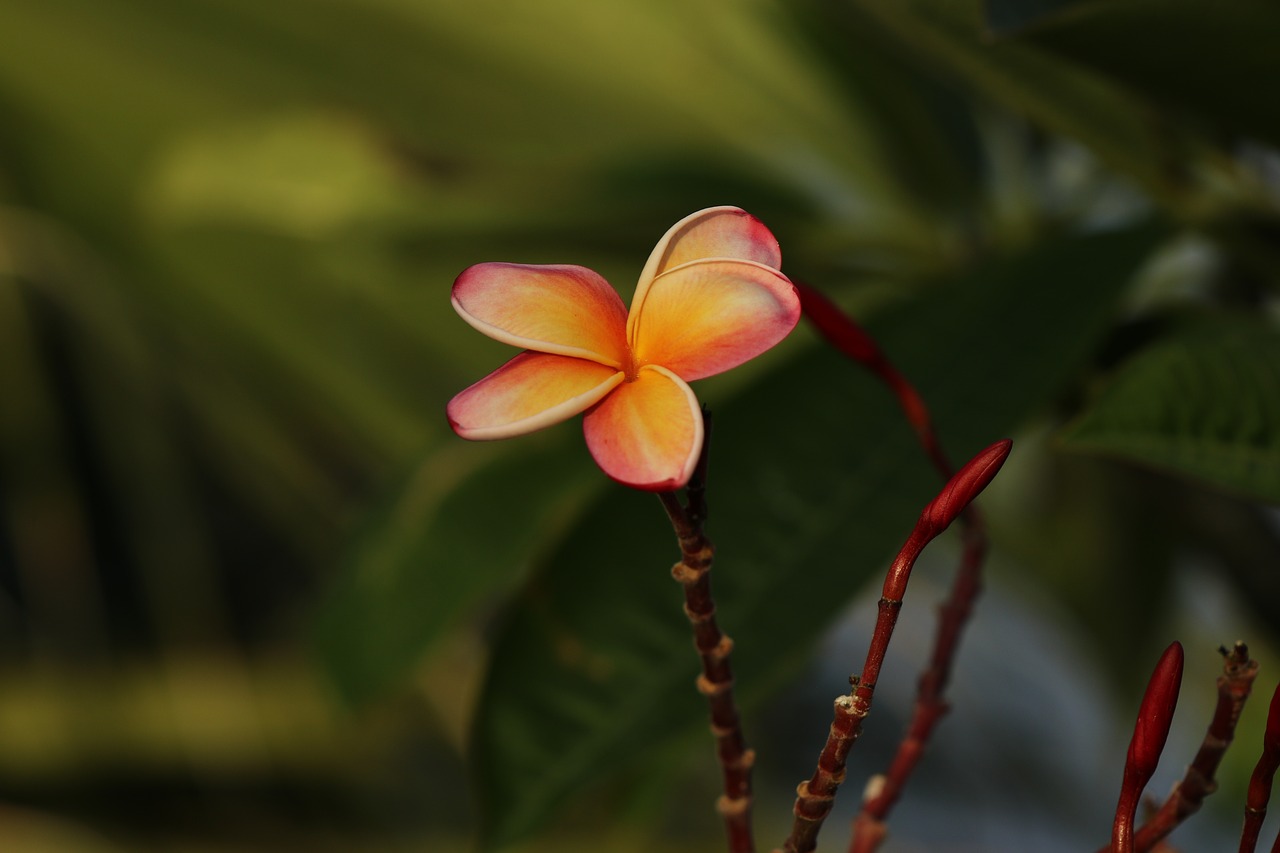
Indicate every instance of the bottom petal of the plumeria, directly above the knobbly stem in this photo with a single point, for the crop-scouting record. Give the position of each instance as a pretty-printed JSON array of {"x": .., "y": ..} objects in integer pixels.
[{"x": 648, "y": 434}]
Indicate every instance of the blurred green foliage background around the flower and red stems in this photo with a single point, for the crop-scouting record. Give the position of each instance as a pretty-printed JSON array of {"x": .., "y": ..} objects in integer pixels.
[{"x": 257, "y": 596}]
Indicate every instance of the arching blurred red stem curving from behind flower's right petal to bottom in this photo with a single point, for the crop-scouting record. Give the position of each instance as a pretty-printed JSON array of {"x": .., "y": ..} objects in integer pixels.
[{"x": 931, "y": 706}]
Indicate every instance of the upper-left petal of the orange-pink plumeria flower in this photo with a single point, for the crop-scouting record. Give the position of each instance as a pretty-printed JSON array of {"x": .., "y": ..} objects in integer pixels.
[{"x": 560, "y": 309}]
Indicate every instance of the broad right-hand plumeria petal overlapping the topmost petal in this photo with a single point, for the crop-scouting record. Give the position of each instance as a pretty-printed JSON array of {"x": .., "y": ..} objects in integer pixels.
[{"x": 706, "y": 317}]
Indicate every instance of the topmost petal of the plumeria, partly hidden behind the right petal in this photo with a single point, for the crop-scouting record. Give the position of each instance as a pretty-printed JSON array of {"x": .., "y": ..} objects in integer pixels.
[{"x": 716, "y": 232}]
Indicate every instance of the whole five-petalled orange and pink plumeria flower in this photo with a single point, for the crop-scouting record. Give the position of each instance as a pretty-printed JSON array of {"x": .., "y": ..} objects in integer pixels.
[{"x": 711, "y": 298}]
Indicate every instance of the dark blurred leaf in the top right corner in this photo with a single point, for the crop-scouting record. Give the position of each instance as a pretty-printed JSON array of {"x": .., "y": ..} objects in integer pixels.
[{"x": 1217, "y": 62}]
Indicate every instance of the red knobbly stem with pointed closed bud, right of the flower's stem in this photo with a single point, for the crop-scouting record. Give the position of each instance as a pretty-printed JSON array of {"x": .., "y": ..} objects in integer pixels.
[{"x": 816, "y": 796}]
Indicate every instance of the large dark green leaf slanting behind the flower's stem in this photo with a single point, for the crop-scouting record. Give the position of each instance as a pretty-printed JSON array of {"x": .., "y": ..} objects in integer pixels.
[{"x": 816, "y": 480}]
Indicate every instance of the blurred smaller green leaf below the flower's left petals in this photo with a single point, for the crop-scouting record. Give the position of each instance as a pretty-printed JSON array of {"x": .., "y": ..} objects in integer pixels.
[{"x": 454, "y": 535}]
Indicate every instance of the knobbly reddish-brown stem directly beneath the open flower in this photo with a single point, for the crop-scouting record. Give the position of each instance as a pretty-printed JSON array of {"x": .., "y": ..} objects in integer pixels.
[{"x": 716, "y": 681}]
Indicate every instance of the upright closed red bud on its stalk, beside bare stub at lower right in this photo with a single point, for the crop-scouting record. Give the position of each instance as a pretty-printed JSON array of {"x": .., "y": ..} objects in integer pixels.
[{"x": 1150, "y": 735}]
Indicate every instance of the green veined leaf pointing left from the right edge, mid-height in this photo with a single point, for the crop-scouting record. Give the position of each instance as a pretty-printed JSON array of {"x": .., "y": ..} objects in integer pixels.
[{"x": 1201, "y": 403}]
